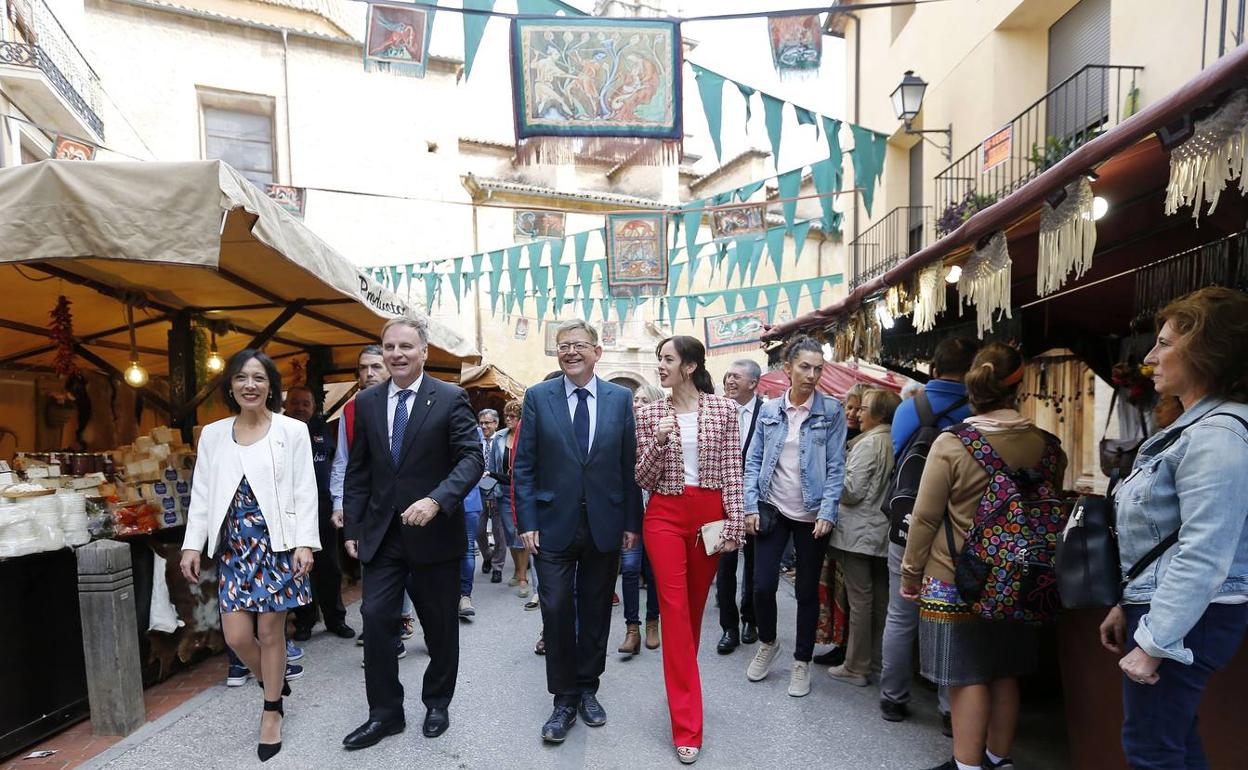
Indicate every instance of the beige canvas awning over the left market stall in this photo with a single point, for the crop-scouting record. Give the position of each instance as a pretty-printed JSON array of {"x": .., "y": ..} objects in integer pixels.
[{"x": 194, "y": 239}]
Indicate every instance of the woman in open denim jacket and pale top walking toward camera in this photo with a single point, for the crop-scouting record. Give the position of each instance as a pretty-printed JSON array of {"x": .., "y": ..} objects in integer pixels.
[{"x": 794, "y": 471}]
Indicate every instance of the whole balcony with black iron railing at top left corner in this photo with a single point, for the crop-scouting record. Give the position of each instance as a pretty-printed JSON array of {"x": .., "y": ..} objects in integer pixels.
[{"x": 48, "y": 76}]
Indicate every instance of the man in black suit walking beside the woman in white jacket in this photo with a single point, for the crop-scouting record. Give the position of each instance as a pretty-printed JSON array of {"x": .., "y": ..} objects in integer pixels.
[{"x": 415, "y": 457}]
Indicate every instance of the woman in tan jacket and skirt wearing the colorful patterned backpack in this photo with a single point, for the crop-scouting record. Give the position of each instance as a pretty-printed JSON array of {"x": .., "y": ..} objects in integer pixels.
[{"x": 979, "y": 661}]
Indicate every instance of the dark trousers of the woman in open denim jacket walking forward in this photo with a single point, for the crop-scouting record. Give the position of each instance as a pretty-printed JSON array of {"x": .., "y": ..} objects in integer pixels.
[{"x": 767, "y": 580}]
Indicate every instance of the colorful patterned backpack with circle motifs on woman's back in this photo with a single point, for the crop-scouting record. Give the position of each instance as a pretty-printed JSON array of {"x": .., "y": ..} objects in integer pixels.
[{"x": 1007, "y": 568}]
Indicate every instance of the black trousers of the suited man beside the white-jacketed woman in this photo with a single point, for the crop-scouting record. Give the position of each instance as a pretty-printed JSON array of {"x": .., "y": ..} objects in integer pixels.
[{"x": 435, "y": 590}]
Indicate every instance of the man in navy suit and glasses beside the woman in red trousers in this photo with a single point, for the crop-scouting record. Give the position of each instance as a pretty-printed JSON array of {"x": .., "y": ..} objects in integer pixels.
[{"x": 577, "y": 504}]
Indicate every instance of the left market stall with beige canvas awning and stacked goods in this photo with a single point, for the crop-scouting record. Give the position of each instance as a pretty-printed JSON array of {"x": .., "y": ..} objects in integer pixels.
[{"x": 153, "y": 275}]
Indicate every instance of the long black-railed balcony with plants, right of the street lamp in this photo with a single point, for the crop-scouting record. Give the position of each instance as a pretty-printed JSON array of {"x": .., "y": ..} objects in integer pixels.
[{"x": 1081, "y": 108}]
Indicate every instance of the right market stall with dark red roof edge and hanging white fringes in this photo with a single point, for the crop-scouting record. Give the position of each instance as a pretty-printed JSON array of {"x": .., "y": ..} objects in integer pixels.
[{"x": 1078, "y": 285}]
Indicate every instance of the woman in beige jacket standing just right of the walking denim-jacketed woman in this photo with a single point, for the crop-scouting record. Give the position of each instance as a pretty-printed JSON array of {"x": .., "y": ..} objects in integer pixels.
[{"x": 860, "y": 542}]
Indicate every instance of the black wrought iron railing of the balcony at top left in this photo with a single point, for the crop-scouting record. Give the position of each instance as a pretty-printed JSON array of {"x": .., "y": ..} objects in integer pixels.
[{"x": 51, "y": 49}]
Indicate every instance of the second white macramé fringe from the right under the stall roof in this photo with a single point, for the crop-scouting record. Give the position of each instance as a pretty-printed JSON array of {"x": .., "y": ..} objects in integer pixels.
[{"x": 1068, "y": 239}]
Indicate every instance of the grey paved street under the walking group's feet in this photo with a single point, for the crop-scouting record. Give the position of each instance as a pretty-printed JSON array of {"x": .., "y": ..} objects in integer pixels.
[{"x": 501, "y": 704}]
